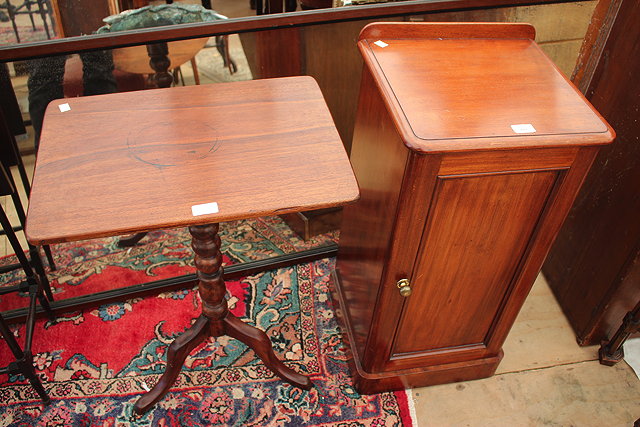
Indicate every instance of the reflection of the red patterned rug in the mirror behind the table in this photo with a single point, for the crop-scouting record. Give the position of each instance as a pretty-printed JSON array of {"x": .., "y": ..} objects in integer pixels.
[{"x": 100, "y": 265}]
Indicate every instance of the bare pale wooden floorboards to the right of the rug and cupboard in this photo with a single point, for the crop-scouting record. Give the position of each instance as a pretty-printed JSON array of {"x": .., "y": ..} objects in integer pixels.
[{"x": 545, "y": 379}]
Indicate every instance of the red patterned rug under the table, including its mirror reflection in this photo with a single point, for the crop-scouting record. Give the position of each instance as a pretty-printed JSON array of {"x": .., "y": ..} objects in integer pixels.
[{"x": 96, "y": 363}]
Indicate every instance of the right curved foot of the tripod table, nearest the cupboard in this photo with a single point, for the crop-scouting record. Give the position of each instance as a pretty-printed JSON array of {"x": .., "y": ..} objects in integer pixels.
[{"x": 260, "y": 343}]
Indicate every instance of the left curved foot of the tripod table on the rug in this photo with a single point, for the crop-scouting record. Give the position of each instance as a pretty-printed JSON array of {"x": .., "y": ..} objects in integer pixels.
[{"x": 177, "y": 353}]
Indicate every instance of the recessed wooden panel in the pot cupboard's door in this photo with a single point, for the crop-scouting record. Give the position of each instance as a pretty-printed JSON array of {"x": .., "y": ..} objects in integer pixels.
[{"x": 460, "y": 280}]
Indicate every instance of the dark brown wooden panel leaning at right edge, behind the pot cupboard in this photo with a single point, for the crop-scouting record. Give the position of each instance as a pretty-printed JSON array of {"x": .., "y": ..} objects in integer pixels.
[{"x": 586, "y": 266}]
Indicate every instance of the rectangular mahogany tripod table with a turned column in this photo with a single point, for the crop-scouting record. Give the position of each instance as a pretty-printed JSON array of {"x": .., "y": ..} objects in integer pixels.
[{"x": 189, "y": 156}]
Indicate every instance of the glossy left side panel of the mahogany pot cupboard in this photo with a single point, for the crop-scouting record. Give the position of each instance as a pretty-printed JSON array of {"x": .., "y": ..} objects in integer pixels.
[{"x": 378, "y": 158}]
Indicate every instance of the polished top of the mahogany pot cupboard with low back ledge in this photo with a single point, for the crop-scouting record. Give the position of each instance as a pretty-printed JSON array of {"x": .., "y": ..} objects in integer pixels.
[{"x": 465, "y": 93}]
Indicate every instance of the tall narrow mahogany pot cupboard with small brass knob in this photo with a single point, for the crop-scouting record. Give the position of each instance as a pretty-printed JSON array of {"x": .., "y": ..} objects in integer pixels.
[{"x": 469, "y": 149}]
